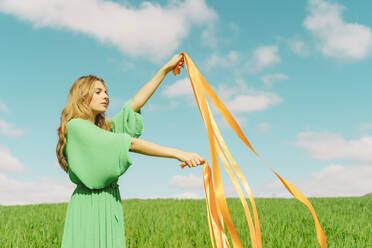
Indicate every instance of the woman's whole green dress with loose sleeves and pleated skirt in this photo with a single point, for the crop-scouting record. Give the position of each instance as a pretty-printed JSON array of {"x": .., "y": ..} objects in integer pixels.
[{"x": 96, "y": 159}]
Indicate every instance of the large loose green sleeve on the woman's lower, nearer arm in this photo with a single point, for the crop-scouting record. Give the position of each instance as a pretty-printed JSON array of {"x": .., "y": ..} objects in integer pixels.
[{"x": 96, "y": 156}]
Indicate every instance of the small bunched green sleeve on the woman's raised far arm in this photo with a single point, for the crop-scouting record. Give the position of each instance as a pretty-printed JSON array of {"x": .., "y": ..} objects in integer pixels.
[{"x": 128, "y": 121}]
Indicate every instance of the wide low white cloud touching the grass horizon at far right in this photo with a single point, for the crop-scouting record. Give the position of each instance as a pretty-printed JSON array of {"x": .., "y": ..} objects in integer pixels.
[{"x": 331, "y": 181}]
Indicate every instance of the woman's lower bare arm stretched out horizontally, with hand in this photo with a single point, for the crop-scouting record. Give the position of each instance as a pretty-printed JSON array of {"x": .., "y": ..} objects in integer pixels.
[{"x": 152, "y": 149}]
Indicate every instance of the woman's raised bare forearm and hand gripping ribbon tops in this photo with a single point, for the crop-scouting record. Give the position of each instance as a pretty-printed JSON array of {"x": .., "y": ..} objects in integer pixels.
[{"x": 148, "y": 90}]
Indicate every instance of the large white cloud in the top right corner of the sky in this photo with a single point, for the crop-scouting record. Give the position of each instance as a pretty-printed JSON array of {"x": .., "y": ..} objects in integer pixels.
[{"x": 337, "y": 38}]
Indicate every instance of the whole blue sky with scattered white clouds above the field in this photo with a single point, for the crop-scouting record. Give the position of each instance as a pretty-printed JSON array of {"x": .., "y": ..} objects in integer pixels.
[{"x": 296, "y": 76}]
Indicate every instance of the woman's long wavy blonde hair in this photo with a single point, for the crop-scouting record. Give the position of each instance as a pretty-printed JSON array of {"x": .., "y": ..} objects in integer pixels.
[{"x": 77, "y": 106}]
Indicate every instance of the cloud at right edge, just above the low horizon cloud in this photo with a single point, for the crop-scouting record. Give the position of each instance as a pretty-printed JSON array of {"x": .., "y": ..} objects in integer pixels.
[{"x": 326, "y": 146}]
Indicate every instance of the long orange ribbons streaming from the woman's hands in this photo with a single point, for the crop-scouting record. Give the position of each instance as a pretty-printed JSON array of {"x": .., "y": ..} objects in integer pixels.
[{"x": 217, "y": 209}]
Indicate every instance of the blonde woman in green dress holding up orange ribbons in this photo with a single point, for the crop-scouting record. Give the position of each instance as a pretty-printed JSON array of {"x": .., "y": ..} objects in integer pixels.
[{"x": 93, "y": 150}]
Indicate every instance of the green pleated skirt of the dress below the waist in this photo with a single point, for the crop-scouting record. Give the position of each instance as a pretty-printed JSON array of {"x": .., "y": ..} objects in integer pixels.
[{"x": 94, "y": 219}]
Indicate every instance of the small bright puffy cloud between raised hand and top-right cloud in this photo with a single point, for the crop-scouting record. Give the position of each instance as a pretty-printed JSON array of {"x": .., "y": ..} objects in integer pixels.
[{"x": 263, "y": 57}]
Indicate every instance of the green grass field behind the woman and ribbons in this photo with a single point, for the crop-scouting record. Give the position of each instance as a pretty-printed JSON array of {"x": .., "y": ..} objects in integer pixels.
[{"x": 347, "y": 222}]
